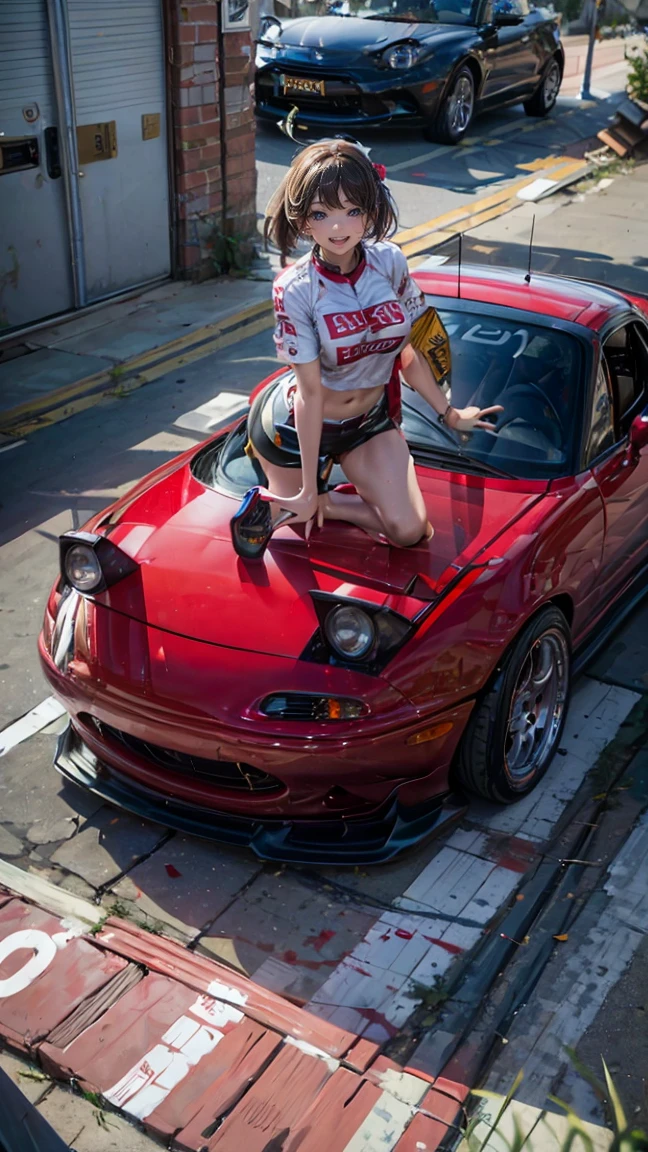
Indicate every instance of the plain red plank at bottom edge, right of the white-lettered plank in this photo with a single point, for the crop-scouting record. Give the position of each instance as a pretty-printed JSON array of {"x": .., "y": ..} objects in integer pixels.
[{"x": 276, "y": 1105}]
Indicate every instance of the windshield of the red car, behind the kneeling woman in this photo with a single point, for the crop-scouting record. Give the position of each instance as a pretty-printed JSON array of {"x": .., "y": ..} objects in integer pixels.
[{"x": 534, "y": 373}]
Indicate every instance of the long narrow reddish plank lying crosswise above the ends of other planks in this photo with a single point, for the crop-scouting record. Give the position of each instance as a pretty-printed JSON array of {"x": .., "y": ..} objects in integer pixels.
[{"x": 208, "y": 976}]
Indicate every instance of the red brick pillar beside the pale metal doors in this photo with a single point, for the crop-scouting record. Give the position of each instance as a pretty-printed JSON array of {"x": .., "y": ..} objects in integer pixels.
[{"x": 210, "y": 201}]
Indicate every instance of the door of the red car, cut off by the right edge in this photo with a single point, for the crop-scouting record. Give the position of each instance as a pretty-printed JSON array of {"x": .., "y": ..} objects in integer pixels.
[{"x": 622, "y": 471}]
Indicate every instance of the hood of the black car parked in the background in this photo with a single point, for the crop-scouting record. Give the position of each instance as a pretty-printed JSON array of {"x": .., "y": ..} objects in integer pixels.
[{"x": 306, "y": 40}]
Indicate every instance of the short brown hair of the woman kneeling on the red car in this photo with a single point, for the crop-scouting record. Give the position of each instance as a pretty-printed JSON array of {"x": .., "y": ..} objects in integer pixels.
[{"x": 325, "y": 171}]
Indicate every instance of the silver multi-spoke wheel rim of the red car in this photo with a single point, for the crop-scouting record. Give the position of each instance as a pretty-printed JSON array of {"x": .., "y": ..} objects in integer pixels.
[{"x": 538, "y": 707}]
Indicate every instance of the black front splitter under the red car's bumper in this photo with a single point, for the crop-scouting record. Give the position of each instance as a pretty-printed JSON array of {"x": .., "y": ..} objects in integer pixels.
[{"x": 346, "y": 842}]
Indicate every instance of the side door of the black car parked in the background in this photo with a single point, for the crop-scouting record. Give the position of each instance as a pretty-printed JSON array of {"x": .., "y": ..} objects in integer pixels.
[{"x": 513, "y": 65}]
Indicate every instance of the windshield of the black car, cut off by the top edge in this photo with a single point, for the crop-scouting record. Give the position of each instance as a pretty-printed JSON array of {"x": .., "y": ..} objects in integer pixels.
[{"x": 424, "y": 12}]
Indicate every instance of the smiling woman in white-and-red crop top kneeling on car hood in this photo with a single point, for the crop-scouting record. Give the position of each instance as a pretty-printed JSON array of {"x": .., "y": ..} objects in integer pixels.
[{"x": 345, "y": 315}]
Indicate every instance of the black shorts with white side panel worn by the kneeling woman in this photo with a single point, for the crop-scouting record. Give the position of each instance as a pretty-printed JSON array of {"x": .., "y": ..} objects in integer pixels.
[{"x": 273, "y": 434}]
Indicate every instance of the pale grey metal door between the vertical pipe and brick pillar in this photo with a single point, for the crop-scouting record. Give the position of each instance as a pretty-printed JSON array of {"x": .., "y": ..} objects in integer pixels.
[{"x": 118, "y": 66}]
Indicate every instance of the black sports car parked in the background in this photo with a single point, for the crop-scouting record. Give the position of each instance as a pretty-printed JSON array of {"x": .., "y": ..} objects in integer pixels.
[{"x": 433, "y": 62}]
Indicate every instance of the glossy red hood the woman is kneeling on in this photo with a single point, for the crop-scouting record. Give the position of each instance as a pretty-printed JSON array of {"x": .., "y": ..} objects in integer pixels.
[{"x": 191, "y": 582}]
